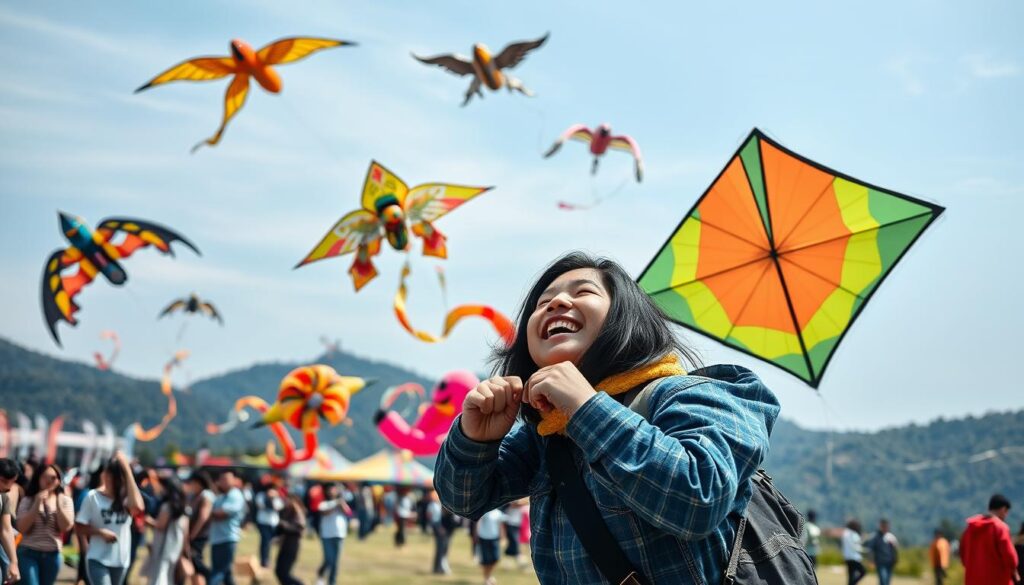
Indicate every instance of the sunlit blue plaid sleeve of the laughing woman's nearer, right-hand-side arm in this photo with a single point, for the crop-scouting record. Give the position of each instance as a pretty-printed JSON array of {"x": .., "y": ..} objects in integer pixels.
[{"x": 681, "y": 473}]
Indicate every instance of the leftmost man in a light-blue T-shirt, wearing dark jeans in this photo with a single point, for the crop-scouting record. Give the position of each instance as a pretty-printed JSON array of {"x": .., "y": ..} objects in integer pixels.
[{"x": 226, "y": 529}]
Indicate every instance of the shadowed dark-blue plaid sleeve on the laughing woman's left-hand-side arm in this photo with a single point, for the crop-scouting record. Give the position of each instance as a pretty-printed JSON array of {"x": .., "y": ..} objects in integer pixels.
[{"x": 474, "y": 479}]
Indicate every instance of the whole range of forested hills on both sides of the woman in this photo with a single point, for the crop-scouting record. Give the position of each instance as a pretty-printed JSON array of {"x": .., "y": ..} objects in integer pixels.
[{"x": 918, "y": 476}]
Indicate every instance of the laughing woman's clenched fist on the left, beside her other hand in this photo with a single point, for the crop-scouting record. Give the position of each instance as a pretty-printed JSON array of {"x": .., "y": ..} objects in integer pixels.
[{"x": 491, "y": 409}]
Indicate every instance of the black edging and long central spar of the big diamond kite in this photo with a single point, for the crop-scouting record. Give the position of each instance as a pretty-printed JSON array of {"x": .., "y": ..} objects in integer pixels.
[{"x": 935, "y": 212}]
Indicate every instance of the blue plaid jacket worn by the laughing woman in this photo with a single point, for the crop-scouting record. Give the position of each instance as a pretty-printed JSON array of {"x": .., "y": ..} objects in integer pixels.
[{"x": 671, "y": 491}]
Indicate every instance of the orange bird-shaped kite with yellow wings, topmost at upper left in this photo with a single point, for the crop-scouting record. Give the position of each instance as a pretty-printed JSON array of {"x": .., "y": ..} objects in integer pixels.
[{"x": 244, "y": 63}]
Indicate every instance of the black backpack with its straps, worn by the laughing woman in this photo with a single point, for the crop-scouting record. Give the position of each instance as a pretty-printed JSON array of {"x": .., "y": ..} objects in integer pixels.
[{"x": 769, "y": 549}]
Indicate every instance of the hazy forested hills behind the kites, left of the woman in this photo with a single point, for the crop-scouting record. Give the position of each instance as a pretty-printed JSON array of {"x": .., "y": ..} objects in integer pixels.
[{"x": 33, "y": 383}]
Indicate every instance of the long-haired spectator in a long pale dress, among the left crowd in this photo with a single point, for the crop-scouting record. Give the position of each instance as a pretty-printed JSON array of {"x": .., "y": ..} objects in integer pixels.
[{"x": 170, "y": 531}]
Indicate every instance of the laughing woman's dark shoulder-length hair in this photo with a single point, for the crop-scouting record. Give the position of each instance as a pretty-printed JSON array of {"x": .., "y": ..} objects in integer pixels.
[{"x": 635, "y": 333}]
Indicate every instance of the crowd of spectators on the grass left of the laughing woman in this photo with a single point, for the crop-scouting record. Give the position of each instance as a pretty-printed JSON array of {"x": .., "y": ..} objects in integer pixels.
[{"x": 191, "y": 524}]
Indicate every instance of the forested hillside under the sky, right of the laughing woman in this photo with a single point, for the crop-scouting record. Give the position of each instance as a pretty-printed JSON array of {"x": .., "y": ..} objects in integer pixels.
[{"x": 920, "y": 477}]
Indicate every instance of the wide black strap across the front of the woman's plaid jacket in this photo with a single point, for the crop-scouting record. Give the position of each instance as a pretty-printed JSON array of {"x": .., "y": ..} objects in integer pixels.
[{"x": 579, "y": 505}]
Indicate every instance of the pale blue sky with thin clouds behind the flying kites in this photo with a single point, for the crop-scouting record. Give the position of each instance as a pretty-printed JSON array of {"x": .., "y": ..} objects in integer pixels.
[{"x": 920, "y": 97}]
